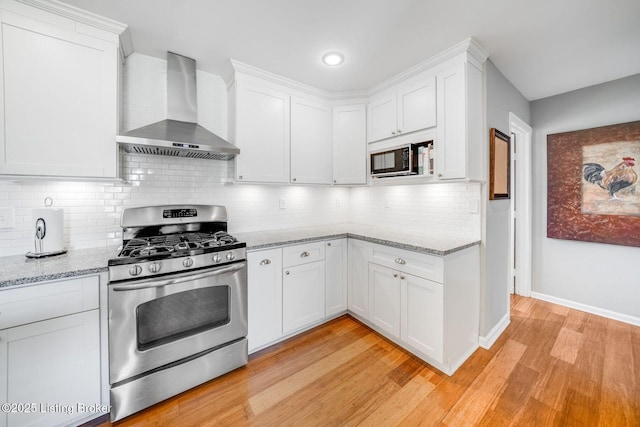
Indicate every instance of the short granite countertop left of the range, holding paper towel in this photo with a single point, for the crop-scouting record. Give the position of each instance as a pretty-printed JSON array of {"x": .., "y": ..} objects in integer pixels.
[{"x": 20, "y": 270}]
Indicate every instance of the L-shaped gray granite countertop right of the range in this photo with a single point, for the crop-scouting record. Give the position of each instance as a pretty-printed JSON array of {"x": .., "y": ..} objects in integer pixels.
[{"x": 429, "y": 244}]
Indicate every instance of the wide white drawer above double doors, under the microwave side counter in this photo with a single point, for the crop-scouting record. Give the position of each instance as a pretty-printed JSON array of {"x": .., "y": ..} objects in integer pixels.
[{"x": 422, "y": 265}]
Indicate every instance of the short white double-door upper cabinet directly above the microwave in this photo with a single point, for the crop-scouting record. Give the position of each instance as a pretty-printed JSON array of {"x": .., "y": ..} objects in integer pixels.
[{"x": 407, "y": 107}]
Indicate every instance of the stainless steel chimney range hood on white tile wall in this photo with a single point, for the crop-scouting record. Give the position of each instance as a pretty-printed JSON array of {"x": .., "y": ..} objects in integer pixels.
[{"x": 179, "y": 135}]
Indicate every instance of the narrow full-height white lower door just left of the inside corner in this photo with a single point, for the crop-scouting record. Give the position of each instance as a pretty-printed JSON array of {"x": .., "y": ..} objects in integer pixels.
[{"x": 336, "y": 277}]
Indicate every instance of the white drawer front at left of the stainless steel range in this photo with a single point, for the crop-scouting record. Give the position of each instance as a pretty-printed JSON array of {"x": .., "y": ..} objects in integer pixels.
[{"x": 29, "y": 304}]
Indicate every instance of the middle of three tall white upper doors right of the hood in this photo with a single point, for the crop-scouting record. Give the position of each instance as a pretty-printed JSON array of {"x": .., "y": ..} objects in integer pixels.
[{"x": 311, "y": 146}]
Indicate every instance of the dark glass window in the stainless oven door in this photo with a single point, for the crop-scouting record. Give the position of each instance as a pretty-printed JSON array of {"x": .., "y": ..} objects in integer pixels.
[{"x": 180, "y": 315}]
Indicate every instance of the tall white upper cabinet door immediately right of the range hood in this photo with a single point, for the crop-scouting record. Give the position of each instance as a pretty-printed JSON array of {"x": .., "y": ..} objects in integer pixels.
[{"x": 262, "y": 132}]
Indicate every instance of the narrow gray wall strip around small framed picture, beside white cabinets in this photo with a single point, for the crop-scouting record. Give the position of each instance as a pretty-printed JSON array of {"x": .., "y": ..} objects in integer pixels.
[{"x": 502, "y": 98}]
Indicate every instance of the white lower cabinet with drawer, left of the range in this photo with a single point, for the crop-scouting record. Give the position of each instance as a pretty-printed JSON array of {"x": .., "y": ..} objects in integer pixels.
[{"x": 52, "y": 365}]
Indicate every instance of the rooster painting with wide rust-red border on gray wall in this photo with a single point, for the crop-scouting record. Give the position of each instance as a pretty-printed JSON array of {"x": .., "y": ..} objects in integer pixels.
[{"x": 592, "y": 185}]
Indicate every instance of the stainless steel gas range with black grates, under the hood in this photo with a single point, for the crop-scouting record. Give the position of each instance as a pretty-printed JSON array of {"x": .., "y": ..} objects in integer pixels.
[{"x": 177, "y": 304}]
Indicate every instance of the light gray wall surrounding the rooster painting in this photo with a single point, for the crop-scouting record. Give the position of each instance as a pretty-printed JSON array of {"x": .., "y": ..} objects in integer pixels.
[{"x": 602, "y": 276}]
